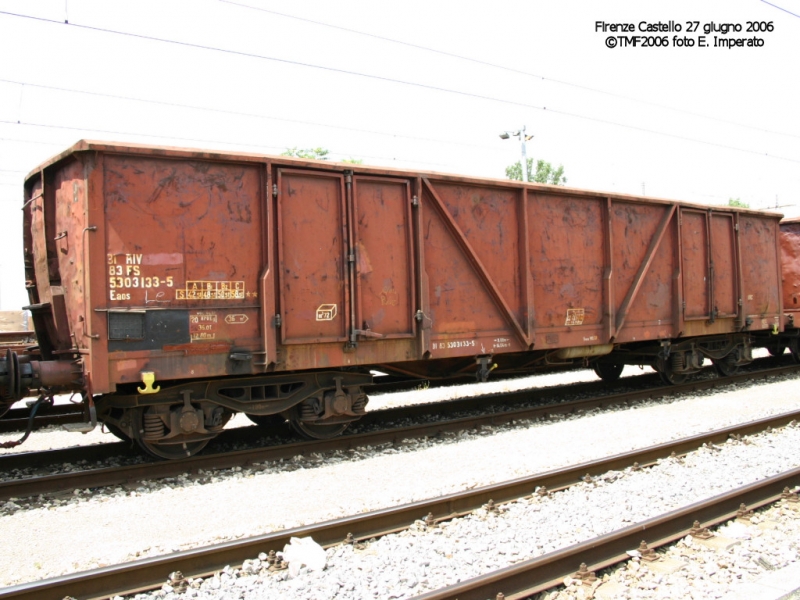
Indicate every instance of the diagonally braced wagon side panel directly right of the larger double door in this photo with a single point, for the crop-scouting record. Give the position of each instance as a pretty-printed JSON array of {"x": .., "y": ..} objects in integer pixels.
[{"x": 472, "y": 270}]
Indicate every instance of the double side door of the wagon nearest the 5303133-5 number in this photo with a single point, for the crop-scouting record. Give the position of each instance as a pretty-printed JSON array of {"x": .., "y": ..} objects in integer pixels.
[{"x": 345, "y": 255}]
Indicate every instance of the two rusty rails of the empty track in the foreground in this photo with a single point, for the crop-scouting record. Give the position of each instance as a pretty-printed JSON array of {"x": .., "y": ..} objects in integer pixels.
[{"x": 523, "y": 578}]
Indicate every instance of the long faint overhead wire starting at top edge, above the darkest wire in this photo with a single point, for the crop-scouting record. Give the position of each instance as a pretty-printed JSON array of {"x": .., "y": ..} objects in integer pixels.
[{"x": 506, "y": 68}]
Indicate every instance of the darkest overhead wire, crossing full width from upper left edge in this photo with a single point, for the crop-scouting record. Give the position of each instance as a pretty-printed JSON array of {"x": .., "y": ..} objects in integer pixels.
[{"x": 401, "y": 82}]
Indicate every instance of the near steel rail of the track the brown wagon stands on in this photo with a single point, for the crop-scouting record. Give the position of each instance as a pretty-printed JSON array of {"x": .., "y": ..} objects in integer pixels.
[{"x": 101, "y": 477}]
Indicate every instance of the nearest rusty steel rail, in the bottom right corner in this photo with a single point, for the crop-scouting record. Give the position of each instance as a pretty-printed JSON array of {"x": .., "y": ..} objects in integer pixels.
[{"x": 529, "y": 577}]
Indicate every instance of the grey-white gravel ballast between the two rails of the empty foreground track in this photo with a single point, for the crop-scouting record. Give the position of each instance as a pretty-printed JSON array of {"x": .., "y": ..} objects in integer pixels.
[{"x": 424, "y": 558}]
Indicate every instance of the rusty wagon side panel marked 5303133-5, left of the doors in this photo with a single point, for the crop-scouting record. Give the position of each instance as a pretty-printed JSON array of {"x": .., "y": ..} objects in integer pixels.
[{"x": 184, "y": 252}]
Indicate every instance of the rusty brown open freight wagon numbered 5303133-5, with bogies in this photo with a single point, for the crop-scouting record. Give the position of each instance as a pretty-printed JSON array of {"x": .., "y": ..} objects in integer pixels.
[{"x": 175, "y": 287}]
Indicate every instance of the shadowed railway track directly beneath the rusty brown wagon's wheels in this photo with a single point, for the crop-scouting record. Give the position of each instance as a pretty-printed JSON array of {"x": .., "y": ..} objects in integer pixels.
[{"x": 108, "y": 476}]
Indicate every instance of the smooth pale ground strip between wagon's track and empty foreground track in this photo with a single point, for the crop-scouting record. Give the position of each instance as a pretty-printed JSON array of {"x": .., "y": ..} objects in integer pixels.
[{"x": 88, "y": 529}]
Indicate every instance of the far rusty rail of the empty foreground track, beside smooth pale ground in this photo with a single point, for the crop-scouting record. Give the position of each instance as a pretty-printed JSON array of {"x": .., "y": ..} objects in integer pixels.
[{"x": 152, "y": 572}]
